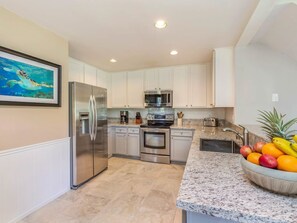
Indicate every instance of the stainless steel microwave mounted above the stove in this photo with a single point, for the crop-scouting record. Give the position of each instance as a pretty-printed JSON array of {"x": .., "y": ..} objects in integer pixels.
[{"x": 161, "y": 98}]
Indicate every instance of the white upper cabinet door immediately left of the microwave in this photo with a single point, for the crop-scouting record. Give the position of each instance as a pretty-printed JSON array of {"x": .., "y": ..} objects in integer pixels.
[{"x": 135, "y": 97}]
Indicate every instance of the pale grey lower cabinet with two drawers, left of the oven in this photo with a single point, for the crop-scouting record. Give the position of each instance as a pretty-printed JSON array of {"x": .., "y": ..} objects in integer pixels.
[{"x": 127, "y": 141}]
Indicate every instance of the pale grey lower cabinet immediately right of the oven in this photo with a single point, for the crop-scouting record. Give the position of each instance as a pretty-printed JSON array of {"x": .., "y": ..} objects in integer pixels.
[{"x": 181, "y": 141}]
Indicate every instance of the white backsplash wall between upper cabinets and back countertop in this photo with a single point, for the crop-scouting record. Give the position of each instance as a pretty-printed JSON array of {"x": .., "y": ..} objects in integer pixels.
[{"x": 193, "y": 113}]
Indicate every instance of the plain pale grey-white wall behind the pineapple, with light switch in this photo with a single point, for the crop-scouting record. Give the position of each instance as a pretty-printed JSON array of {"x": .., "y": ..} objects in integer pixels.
[{"x": 260, "y": 72}]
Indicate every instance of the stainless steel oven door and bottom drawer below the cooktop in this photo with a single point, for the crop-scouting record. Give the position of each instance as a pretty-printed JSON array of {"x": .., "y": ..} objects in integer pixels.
[{"x": 155, "y": 145}]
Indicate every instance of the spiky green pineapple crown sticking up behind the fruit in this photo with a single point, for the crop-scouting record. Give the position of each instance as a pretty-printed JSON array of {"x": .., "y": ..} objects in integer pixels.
[{"x": 274, "y": 126}]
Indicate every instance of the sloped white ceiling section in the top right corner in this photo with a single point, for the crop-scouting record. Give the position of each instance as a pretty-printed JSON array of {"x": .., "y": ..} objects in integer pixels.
[{"x": 279, "y": 31}]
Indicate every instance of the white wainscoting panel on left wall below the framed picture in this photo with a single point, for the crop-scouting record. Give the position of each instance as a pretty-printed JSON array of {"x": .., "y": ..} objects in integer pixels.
[{"x": 32, "y": 176}]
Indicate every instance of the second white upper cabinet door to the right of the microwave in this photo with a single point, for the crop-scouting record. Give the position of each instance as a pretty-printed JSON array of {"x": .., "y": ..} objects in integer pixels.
[{"x": 197, "y": 93}]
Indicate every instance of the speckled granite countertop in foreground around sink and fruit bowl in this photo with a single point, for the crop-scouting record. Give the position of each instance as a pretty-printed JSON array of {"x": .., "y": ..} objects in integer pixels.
[{"x": 214, "y": 184}]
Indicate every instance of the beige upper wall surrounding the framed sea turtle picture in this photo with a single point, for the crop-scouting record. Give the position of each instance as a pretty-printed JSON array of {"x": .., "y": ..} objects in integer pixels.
[{"x": 25, "y": 125}]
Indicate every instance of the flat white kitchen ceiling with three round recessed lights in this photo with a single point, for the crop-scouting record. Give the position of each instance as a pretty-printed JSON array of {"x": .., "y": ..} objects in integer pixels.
[{"x": 99, "y": 30}]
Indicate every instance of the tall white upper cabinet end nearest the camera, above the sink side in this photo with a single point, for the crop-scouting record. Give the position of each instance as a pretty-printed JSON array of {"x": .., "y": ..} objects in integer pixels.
[{"x": 223, "y": 77}]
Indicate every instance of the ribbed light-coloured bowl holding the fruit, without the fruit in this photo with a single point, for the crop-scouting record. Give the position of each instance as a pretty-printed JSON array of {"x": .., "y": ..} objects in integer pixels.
[{"x": 274, "y": 180}]
